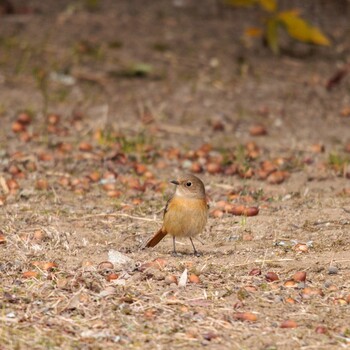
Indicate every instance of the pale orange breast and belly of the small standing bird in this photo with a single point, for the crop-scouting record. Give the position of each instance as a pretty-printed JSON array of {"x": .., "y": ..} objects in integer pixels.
[{"x": 185, "y": 217}]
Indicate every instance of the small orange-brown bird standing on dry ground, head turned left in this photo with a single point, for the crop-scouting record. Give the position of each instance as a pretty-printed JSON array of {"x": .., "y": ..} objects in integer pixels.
[{"x": 186, "y": 212}]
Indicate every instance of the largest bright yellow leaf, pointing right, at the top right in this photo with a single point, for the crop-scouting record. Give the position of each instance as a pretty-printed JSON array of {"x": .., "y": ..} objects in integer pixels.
[{"x": 301, "y": 30}]
